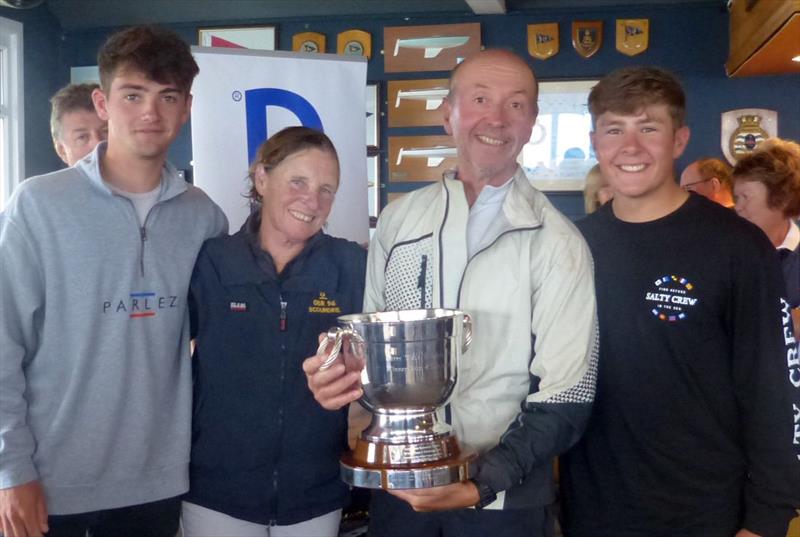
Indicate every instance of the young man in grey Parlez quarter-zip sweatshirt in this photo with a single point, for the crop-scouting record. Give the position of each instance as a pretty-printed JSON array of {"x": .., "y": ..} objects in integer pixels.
[{"x": 95, "y": 261}]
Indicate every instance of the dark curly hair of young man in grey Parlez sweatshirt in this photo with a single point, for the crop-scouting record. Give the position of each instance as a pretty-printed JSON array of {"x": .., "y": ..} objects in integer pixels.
[{"x": 161, "y": 54}]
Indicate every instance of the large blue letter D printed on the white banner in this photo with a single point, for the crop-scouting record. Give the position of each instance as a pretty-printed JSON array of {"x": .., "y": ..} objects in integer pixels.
[{"x": 256, "y": 103}]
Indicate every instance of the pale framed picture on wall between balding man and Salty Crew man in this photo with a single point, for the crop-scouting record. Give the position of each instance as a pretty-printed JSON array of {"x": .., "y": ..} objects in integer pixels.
[{"x": 559, "y": 153}]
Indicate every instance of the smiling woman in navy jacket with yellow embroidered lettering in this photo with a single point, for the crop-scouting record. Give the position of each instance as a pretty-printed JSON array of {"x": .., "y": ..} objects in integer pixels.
[{"x": 264, "y": 453}]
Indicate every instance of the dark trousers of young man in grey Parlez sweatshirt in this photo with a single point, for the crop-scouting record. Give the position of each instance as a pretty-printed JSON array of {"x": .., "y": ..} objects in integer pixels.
[{"x": 156, "y": 519}]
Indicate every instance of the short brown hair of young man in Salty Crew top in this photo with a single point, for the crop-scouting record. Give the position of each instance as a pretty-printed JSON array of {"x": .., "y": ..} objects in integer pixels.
[{"x": 631, "y": 89}]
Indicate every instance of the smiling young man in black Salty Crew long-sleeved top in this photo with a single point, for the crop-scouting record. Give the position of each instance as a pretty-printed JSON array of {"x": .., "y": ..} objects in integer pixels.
[{"x": 695, "y": 429}]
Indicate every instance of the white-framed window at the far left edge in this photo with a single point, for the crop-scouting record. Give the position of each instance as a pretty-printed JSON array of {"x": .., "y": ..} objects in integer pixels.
[{"x": 12, "y": 143}]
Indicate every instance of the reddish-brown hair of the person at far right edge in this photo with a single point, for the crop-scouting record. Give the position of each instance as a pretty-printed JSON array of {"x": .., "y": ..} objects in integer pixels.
[{"x": 776, "y": 164}]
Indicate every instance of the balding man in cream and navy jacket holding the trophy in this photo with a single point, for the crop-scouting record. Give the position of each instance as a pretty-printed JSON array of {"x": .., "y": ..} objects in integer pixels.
[{"x": 483, "y": 240}]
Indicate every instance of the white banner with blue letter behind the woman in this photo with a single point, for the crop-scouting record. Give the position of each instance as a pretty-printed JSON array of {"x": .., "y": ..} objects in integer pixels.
[{"x": 241, "y": 97}]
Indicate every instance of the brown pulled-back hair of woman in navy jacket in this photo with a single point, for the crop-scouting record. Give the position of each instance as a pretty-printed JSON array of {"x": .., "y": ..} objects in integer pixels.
[{"x": 283, "y": 144}]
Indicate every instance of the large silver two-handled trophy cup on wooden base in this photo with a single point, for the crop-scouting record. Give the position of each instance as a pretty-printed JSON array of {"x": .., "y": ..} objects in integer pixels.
[{"x": 410, "y": 370}]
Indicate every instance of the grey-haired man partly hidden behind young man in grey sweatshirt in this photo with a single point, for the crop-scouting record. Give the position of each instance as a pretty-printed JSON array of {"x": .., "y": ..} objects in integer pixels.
[{"x": 74, "y": 123}]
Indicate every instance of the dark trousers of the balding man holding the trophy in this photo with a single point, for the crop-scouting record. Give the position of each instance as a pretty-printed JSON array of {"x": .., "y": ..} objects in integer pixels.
[{"x": 391, "y": 517}]
